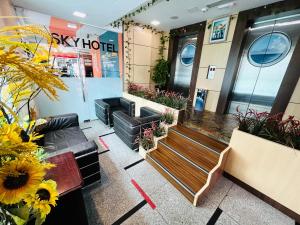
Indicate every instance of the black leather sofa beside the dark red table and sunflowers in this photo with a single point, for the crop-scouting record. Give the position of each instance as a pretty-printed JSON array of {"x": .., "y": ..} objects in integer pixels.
[{"x": 63, "y": 134}]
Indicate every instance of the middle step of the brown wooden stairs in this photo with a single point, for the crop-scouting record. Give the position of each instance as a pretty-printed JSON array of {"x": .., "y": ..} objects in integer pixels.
[{"x": 191, "y": 151}]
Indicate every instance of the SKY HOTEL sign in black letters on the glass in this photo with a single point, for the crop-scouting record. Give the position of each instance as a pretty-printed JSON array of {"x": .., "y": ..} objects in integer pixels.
[{"x": 77, "y": 42}]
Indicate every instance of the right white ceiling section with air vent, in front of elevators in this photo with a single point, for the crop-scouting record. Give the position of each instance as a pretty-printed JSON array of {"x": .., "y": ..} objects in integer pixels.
[{"x": 166, "y": 9}]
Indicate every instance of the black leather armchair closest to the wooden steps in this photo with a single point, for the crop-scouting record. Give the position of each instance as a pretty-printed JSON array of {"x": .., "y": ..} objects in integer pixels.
[{"x": 130, "y": 128}]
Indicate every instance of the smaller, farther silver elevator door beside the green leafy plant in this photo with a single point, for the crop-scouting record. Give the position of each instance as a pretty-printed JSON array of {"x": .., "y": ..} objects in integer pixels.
[{"x": 184, "y": 64}]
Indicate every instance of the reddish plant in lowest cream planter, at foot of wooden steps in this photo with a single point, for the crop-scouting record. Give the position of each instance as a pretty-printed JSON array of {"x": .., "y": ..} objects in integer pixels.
[{"x": 146, "y": 142}]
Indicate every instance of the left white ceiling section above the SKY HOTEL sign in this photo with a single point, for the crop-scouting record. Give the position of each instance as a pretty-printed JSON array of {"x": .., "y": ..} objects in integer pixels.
[{"x": 99, "y": 12}]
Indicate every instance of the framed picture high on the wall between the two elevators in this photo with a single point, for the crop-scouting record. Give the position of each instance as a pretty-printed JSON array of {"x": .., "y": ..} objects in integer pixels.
[{"x": 219, "y": 30}]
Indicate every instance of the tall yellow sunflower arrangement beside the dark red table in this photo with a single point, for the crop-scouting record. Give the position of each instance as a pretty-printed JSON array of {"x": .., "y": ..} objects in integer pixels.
[{"x": 25, "y": 194}]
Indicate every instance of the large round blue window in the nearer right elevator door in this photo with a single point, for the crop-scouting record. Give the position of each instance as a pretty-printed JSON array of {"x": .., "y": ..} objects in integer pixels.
[{"x": 269, "y": 49}]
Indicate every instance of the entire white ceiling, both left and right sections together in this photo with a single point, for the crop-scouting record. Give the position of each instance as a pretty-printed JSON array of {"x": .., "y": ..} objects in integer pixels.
[{"x": 103, "y": 12}]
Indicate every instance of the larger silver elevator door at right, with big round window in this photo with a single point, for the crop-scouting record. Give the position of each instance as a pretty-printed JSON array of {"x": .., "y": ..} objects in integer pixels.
[{"x": 268, "y": 49}]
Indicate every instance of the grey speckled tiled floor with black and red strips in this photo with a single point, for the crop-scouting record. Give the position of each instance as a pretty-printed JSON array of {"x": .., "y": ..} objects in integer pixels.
[{"x": 109, "y": 201}]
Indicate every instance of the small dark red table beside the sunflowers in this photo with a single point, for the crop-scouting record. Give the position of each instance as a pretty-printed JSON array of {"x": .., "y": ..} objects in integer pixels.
[{"x": 70, "y": 207}]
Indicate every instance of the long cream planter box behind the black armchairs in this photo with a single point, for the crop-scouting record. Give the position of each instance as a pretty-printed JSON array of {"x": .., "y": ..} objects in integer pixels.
[{"x": 141, "y": 102}]
